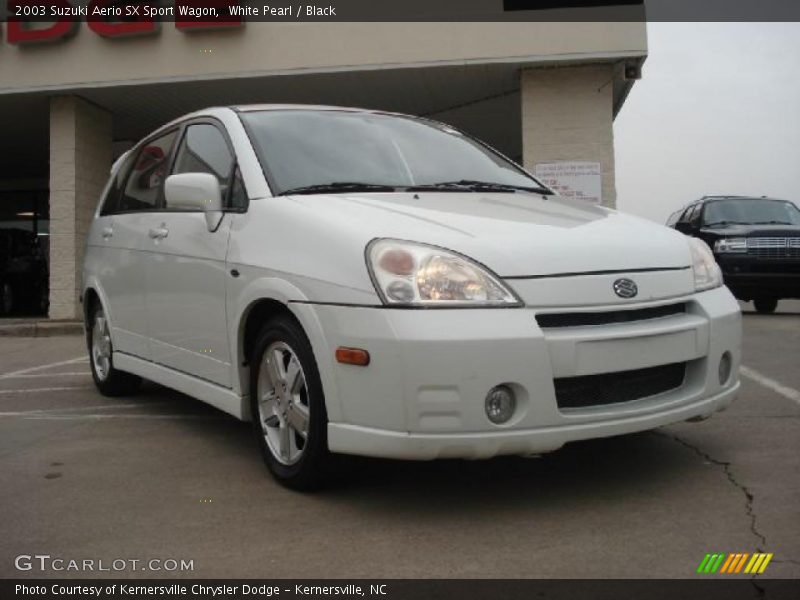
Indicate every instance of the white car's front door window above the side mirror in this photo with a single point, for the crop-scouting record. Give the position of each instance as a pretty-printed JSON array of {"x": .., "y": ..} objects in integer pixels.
[{"x": 204, "y": 150}]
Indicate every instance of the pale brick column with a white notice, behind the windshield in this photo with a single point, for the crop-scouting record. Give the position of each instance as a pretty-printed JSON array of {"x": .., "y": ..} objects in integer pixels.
[{"x": 568, "y": 115}]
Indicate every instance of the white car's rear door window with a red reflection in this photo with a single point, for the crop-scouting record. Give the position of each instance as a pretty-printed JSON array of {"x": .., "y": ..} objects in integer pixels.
[{"x": 146, "y": 180}]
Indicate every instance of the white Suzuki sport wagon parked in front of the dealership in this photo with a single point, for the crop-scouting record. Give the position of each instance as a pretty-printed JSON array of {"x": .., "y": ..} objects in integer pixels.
[{"x": 358, "y": 282}]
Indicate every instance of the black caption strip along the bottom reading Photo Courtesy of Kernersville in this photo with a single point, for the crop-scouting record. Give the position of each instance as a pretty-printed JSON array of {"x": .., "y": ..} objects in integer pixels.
[{"x": 704, "y": 587}]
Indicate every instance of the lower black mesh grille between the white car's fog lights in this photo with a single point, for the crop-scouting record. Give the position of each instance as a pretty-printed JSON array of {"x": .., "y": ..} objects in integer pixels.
[{"x": 622, "y": 386}]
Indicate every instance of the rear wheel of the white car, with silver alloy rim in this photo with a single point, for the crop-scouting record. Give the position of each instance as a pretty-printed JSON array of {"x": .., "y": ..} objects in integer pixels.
[{"x": 108, "y": 380}]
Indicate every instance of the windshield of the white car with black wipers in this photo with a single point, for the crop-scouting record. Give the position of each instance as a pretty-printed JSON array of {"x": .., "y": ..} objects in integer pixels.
[{"x": 327, "y": 150}]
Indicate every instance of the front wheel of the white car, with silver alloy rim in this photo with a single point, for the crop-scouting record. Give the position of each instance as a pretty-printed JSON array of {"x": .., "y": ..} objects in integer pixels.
[{"x": 288, "y": 406}]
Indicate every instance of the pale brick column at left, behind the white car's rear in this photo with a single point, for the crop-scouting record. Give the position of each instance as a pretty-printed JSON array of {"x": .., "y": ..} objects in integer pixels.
[{"x": 80, "y": 159}]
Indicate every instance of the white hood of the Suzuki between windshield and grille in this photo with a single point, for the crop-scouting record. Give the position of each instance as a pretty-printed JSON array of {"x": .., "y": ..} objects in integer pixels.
[{"x": 515, "y": 235}]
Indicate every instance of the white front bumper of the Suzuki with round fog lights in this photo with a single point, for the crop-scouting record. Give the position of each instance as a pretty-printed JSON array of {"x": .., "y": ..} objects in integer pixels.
[{"x": 422, "y": 396}]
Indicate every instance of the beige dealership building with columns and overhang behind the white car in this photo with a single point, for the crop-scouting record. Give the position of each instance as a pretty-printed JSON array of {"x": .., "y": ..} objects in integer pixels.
[{"x": 542, "y": 93}]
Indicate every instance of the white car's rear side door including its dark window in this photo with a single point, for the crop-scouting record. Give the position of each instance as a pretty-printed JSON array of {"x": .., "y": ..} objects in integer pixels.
[{"x": 119, "y": 237}]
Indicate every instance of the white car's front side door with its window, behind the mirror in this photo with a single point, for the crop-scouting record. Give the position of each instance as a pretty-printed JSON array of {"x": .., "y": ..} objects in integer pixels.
[{"x": 186, "y": 273}]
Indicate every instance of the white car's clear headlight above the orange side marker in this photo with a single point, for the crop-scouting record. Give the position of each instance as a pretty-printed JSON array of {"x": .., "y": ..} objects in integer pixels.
[{"x": 412, "y": 274}]
